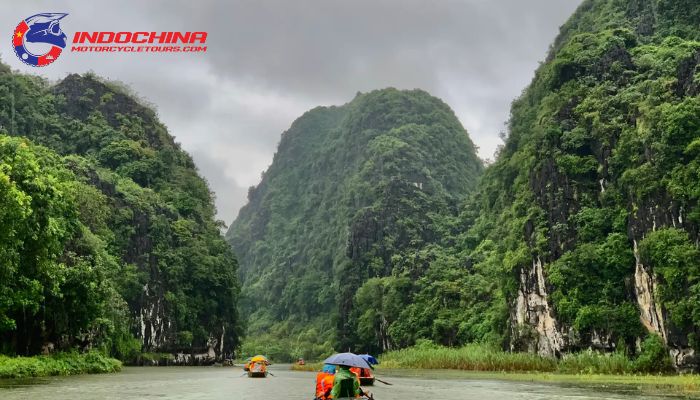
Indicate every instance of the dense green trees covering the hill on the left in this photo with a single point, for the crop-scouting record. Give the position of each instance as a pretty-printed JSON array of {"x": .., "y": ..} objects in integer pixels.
[{"x": 107, "y": 234}]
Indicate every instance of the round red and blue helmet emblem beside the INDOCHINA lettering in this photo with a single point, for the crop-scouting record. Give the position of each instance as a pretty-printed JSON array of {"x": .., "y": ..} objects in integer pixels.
[{"x": 39, "y": 40}]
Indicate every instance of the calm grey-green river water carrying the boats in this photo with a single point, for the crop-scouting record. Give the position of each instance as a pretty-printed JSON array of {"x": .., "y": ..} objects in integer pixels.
[{"x": 227, "y": 383}]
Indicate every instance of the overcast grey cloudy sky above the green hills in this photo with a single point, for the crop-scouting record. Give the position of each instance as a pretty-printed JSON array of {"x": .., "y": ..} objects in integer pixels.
[{"x": 268, "y": 61}]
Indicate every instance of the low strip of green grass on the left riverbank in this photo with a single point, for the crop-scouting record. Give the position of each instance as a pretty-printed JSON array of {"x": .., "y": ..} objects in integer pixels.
[{"x": 58, "y": 364}]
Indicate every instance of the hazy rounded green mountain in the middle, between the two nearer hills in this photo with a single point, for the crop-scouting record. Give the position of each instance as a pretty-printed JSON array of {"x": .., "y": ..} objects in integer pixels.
[{"x": 353, "y": 201}]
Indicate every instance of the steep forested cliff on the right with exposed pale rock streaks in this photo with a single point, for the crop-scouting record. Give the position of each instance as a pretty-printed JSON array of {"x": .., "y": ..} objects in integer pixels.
[{"x": 590, "y": 178}]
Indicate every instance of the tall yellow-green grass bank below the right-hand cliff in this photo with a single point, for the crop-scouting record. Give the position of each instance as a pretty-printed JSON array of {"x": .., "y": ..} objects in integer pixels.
[{"x": 650, "y": 371}]
